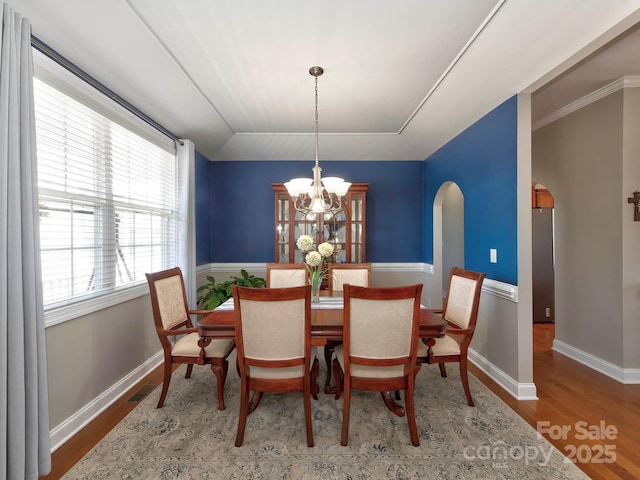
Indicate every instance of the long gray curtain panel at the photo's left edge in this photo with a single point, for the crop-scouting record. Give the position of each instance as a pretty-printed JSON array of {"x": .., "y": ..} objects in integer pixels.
[{"x": 24, "y": 414}]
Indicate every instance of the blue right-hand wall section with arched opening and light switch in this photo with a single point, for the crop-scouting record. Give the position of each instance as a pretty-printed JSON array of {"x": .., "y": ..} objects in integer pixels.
[{"x": 482, "y": 160}]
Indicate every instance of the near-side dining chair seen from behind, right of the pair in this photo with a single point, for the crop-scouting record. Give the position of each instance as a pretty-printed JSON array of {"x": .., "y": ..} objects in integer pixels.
[{"x": 381, "y": 330}]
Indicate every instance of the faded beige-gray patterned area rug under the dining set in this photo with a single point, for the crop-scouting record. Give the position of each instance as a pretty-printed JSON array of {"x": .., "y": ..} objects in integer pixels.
[{"x": 189, "y": 438}]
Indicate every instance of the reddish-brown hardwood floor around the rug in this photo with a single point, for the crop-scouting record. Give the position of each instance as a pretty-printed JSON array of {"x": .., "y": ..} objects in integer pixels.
[{"x": 571, "y": 397}]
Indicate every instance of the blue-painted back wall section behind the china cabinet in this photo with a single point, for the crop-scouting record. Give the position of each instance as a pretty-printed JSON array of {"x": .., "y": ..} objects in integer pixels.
[{"x": 239, "y": 202}]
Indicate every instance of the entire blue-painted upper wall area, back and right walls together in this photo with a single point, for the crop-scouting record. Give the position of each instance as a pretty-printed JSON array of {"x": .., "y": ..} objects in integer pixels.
[{"x": 235, "y": 205}]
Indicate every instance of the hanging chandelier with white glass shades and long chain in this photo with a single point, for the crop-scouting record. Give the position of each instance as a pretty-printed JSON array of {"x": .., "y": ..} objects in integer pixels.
[{"x": 317, "y": 195}]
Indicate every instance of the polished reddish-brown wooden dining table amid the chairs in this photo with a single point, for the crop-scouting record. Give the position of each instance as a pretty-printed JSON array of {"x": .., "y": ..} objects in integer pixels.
[{"x": 326, "y": 323}]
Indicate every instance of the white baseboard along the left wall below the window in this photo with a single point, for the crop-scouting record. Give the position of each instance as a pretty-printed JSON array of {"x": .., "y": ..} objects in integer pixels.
[{"x": 72, "y": 425}]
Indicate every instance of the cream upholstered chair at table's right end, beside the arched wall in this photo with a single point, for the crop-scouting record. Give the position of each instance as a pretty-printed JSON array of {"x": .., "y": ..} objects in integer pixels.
[{"x": 461, "y": 313}]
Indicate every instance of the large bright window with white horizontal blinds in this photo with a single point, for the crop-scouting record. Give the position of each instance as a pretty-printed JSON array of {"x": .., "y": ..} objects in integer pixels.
[{"x": 107, "y": 201}]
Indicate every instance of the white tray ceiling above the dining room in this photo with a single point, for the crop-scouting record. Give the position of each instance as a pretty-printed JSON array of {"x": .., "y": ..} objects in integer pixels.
[{"x": 401, "y": 78}]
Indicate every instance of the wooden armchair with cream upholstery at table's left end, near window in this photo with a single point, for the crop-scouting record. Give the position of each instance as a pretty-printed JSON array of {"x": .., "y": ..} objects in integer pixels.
[{"x": 172, "y": 318}]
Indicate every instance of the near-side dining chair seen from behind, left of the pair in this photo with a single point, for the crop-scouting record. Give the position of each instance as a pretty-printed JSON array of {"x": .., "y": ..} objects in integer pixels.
[{"x": 273, "y": 338}]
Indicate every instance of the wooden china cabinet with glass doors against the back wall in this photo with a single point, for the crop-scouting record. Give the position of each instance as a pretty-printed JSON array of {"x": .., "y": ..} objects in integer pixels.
[{"x": 346, "y": 230}]
